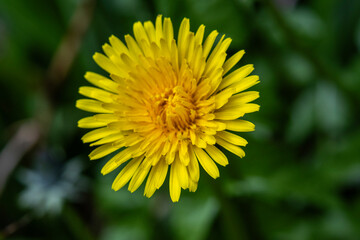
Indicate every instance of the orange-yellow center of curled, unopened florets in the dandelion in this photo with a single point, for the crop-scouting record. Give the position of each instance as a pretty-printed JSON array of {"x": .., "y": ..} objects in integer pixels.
[{"x": 174, "y": 109}]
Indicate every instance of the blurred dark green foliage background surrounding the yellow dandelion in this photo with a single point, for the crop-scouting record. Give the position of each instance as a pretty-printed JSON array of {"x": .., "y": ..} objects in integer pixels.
[{"x": 300, "y": 178}]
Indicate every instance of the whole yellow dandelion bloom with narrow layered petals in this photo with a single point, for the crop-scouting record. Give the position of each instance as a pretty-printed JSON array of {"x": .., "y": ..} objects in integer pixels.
[{"x": 167, "y": 105}]
